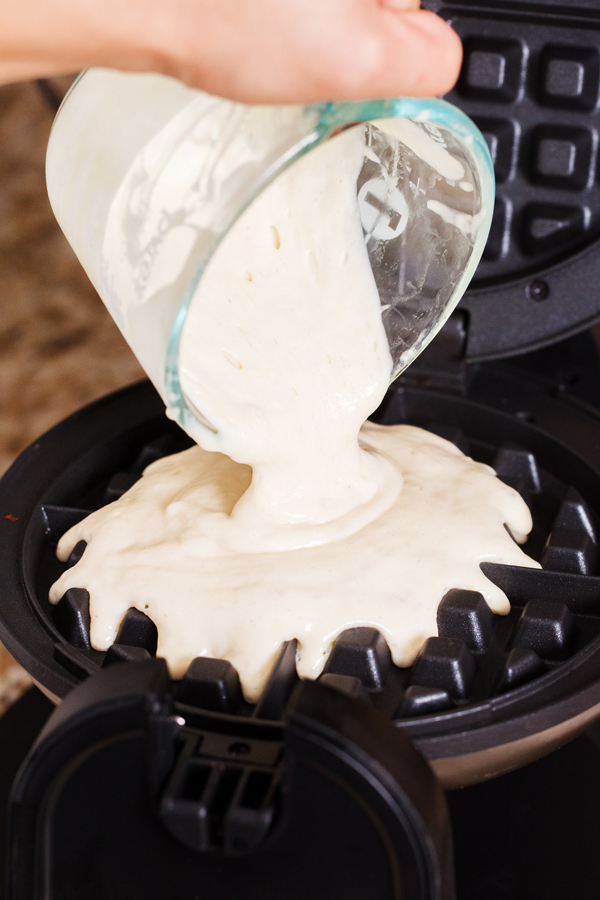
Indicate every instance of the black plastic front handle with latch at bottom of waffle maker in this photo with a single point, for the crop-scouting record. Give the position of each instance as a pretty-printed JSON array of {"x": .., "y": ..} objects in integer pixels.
[{"x": 133, "y": 802}]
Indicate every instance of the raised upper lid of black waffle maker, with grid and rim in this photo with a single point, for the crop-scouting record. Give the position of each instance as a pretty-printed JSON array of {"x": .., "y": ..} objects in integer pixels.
[{"x": 530, "y": 80}]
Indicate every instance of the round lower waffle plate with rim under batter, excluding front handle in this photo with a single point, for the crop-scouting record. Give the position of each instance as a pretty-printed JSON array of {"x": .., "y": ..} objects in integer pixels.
[{"x": 486, "y": 695}]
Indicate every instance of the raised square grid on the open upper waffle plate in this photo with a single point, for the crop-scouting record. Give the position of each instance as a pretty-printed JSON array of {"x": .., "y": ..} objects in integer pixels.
[{"x": 530, "y": 80}]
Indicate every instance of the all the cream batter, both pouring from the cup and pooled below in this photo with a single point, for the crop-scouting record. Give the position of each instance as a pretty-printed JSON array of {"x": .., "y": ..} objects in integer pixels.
[{"x": 300, "y": 530}]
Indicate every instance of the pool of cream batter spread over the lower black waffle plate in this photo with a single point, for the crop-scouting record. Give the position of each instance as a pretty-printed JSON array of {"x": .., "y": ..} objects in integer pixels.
[{"x": 155, "y": 549}]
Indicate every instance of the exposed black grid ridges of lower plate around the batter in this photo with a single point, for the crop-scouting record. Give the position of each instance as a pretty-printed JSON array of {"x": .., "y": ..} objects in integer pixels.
[{"x": 475, "y": 657}]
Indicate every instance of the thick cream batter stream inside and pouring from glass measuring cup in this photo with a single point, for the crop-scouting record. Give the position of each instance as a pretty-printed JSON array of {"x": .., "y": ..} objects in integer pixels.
[{"x": 284, "y": 351}]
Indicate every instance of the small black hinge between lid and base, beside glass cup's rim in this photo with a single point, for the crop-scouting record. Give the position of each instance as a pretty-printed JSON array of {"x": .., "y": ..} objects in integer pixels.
[{"x": 442, "y": 364}]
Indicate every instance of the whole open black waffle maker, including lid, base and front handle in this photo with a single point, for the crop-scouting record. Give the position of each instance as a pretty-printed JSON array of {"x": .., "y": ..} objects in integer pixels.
[{"x": 139, "y": 787}]
